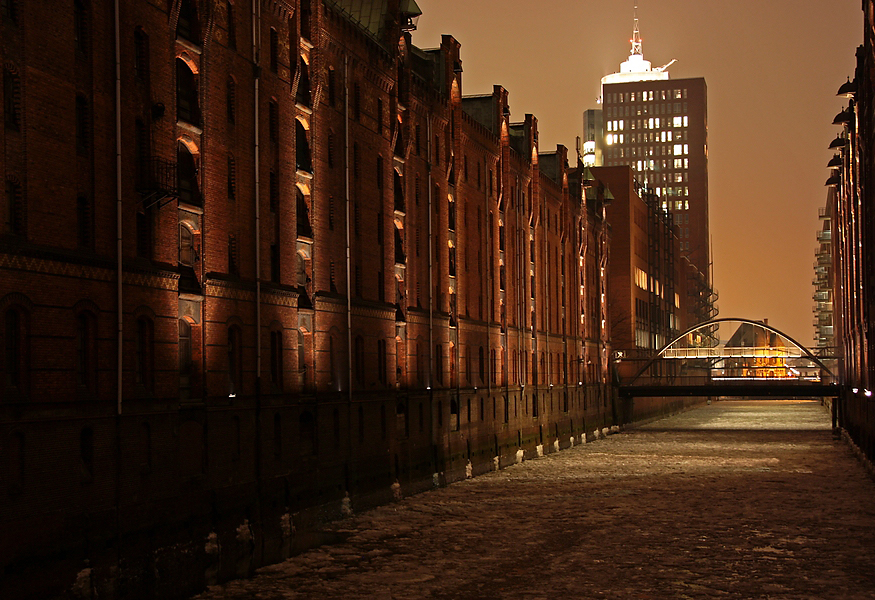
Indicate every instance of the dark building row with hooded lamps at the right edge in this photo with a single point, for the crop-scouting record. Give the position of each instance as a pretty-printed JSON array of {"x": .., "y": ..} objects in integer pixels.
[{"x": 851, "y": 211}]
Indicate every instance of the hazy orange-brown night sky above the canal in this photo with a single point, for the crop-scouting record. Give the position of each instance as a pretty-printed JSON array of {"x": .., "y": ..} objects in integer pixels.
[{"x": 772, "y": 68}]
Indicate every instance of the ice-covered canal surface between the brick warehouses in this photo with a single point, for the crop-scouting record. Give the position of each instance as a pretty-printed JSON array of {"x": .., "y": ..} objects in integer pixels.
[{"x": 732, "y": 500}]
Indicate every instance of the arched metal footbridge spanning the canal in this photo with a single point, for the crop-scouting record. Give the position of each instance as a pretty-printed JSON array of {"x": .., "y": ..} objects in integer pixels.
[{"x": 727, "y": 357}]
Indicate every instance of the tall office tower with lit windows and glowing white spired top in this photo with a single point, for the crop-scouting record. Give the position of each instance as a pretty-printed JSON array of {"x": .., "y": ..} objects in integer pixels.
[{"x": 659, "y": 127}]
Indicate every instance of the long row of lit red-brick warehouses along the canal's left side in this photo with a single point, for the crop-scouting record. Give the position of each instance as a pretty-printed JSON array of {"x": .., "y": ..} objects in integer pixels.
[{"x": 270, "y": 259}]
